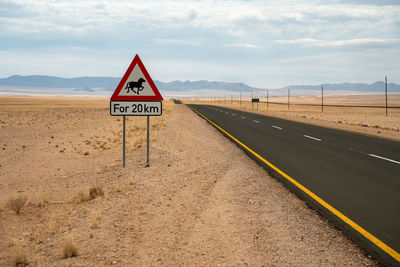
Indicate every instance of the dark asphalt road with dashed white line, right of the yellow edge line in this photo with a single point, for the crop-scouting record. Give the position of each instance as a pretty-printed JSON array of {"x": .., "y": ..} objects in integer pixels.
[{"x": 358, "y": 175}]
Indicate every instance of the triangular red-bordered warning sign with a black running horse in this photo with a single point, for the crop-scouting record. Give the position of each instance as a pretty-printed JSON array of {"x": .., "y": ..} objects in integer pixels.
[{"x": 136, "y": 85}]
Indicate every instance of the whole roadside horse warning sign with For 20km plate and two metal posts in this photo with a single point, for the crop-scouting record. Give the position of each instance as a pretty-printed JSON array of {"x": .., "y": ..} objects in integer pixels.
[{"x": 136, "y": 95}]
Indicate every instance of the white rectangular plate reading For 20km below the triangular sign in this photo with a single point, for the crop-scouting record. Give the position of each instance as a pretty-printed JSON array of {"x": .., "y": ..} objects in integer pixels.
[{"x": 135, "y": 108}]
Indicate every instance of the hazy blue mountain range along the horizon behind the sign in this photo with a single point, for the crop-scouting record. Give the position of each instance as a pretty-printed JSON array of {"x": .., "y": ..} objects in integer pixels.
[{"x": 105, "y": 85}]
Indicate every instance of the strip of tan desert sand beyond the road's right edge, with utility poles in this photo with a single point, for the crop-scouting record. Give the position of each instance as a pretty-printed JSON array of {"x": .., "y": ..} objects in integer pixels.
[{"x": 370, "y": 121}]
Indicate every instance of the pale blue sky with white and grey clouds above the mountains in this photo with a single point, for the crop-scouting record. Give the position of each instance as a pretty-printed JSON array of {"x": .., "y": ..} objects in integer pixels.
[{"x": 267, "y": 44}]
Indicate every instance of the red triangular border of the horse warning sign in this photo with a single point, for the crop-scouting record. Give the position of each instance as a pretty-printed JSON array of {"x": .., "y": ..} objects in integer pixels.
[{"x": 156, "y": 97}]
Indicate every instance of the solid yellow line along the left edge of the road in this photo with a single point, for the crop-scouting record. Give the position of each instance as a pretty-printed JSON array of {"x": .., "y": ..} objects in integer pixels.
[{"x": 355, "y": 226}]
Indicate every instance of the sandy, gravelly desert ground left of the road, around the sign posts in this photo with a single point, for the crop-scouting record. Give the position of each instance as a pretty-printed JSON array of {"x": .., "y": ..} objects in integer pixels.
[{"x": 202, "y": 201}]
